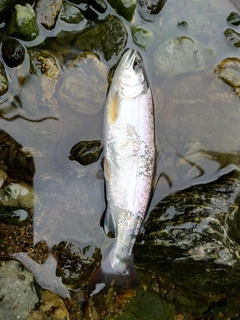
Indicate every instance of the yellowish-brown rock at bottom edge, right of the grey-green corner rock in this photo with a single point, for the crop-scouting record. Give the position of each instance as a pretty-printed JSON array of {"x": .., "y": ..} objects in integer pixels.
[{"x": 51, "y": 307}]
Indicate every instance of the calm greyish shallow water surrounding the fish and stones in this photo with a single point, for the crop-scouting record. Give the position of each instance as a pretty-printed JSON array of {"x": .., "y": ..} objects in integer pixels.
[{"x": 69, "y": 204}]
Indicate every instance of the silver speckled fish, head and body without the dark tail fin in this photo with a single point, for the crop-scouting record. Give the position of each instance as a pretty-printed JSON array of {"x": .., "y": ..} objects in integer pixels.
[{"x": 130, "y": 152}]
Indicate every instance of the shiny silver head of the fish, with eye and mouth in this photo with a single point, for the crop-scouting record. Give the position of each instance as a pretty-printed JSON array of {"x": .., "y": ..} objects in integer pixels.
[{"x": 131, "y": 78}]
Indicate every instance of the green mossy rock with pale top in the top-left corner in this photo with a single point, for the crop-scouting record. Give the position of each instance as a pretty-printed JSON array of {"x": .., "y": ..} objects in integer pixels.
[{"x": 22, "y": 23}]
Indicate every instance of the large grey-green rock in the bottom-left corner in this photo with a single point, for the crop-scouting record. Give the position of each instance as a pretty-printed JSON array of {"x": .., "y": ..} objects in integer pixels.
[{"x": 17, "y": 291}]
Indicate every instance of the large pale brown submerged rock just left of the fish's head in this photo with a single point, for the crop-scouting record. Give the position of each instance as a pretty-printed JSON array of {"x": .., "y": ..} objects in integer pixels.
[{"x": 85, "y": 84}]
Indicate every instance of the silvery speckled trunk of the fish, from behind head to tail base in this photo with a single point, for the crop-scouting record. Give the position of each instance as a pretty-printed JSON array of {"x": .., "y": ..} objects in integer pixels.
[{"x": 130, "y": 158}]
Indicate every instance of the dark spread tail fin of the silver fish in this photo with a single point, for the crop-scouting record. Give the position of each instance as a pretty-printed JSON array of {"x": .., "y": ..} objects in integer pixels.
[{"x": 106, "y": 277}]
